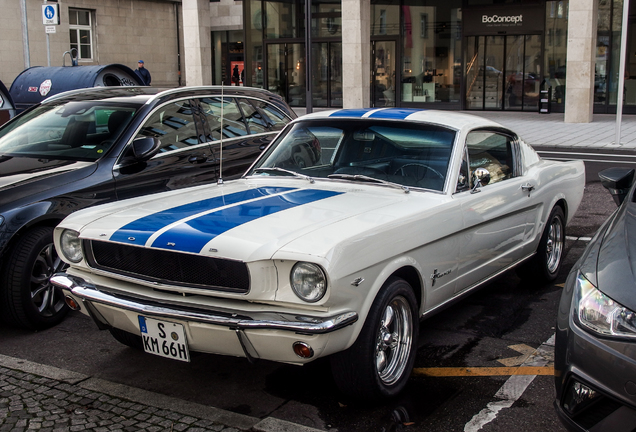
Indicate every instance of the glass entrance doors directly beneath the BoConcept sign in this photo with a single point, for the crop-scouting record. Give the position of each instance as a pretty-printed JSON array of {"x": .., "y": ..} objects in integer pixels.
[{"x": 503, "y": 72}]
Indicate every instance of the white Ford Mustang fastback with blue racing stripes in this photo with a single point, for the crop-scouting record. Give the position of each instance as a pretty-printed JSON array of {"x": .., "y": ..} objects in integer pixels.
[{"x": 350, "y": 228}]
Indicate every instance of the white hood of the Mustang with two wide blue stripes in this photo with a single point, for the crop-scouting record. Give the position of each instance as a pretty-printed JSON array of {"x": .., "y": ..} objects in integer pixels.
[{"x": 255, "y": 220}]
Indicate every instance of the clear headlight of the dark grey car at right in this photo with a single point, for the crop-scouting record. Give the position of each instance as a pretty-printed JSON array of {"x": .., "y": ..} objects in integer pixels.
[{"x": 600, "y": 314}]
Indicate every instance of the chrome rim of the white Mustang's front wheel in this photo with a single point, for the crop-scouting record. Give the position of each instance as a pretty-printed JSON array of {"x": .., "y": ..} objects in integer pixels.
[{"x": 394, "y": 340}]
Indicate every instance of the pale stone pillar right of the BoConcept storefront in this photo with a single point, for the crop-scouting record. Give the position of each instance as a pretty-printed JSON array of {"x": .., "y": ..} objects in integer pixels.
[{"x": 581, "y": 58}]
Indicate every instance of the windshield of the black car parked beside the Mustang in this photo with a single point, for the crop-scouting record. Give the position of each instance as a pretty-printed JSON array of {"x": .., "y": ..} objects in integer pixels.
[{"x": 71, "y": 131}]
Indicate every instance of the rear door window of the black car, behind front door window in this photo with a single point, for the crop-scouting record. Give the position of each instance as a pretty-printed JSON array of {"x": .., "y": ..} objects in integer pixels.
[{"x": 233, "y": 124}]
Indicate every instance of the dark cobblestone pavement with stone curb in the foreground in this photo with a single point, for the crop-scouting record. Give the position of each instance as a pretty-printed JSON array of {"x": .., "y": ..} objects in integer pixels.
[{"x": 43, "y": 398}]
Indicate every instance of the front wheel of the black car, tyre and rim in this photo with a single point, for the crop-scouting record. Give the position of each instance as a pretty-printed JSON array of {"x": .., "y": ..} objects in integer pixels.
[{"x": 28, "y": 298}]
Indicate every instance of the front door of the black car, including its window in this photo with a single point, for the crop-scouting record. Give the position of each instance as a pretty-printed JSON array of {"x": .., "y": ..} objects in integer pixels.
[{"x": 184, "y": 159}]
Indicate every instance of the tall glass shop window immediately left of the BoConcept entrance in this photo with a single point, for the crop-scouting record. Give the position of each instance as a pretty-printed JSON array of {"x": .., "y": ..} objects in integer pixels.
[{"x": 431, "y": 52}]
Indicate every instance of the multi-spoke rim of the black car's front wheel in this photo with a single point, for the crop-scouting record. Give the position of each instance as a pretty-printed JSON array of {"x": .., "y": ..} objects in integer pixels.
[{"x": 46, "y": 299}]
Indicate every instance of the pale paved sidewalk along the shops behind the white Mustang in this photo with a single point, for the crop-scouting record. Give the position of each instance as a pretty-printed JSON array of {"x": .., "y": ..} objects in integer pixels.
[{"x": 549, "y": 130}]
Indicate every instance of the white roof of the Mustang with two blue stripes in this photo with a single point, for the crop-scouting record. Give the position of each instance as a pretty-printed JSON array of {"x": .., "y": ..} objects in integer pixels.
[{"x": 450, "y": 119}]
